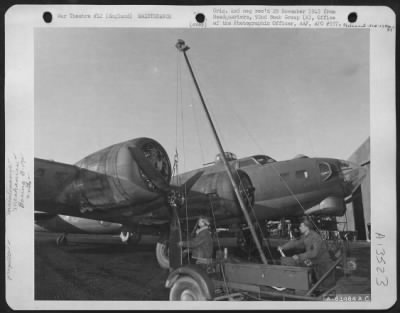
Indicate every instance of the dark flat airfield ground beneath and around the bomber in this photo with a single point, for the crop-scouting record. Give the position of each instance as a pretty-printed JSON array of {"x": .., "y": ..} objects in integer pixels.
[{"x": 94, "y": 267}]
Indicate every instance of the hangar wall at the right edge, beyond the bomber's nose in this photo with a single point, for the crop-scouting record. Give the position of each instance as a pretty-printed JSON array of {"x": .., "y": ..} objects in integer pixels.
[{"x": 358, "y": 213}]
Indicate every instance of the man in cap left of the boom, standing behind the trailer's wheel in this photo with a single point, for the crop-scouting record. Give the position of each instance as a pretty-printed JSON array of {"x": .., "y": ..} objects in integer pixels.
[{"x": 202, "y": 243}]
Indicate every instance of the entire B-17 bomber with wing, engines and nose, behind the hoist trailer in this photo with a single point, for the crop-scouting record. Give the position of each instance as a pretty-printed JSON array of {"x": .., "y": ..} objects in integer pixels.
[{"x": 128, "y": 188}]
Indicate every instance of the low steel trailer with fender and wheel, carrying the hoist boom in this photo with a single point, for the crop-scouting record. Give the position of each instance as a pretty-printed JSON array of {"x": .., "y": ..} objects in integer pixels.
[{"x": 224, "y": 280}]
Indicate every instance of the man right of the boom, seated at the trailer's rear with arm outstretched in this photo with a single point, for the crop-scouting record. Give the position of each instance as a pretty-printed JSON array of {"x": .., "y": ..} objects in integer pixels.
[{"x": 316, "y": 253}]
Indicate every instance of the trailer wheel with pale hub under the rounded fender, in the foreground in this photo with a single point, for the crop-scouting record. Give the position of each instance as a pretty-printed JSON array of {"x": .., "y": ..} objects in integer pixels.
[{"x": 186, "y": 289}]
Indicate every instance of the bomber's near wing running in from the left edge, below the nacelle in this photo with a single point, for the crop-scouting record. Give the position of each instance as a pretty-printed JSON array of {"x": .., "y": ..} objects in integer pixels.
[{"x": 71, "y": 190}]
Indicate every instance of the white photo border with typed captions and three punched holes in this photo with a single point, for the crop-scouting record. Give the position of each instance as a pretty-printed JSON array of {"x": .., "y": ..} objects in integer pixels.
[{"x": 20, "y": 22}]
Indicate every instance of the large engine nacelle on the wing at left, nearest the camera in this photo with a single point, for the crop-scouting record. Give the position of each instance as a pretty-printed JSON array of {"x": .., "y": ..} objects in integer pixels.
[{"x": 111, "y": 177}]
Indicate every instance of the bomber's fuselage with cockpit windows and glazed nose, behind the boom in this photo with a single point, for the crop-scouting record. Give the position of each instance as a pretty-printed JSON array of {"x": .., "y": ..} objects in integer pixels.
[{"x": 290, "y": 188}]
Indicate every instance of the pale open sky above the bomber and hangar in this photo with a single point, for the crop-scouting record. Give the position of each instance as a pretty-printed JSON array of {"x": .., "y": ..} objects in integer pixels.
[{"x": 279, "y": 92}]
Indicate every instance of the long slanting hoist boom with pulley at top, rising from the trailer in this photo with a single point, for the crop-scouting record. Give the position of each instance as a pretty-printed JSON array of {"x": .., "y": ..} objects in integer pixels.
[{"x": 181, "y": 46}]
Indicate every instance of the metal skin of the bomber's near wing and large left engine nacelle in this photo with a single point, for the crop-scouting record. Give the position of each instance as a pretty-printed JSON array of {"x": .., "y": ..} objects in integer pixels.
[{"x": 102, "y": 182}]
